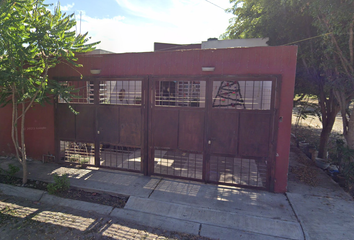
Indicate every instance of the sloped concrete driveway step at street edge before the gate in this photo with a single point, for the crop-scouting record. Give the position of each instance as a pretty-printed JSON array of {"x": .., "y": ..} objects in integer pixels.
[{"x": 236, "y": 221}]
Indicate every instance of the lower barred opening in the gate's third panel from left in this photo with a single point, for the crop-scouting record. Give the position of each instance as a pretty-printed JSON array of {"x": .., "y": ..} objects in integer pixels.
[{"x": 178, "y": 164}]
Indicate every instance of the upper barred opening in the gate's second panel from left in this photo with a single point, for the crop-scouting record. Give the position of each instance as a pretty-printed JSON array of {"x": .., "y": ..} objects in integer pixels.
[{"x": 121, "y": 92}]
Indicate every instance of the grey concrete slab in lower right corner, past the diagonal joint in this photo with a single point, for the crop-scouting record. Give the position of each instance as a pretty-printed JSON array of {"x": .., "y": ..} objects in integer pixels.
[{"x": 325, "y": 211}]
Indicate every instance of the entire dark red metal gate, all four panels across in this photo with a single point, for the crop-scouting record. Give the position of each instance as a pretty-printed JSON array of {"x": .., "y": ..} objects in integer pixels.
[{"x": 212, "y": 129}]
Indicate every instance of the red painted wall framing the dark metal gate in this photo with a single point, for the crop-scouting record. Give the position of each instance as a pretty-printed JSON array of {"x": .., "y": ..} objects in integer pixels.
[{"x": 236, "y": 61}]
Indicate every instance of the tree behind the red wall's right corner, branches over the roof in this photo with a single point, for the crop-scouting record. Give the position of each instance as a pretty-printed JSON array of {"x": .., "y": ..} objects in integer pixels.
[{"x": 291, "y": 22}]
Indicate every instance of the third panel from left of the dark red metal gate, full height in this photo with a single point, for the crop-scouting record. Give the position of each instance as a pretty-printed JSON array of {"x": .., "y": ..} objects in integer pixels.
[{"x": 176, "y": 127}]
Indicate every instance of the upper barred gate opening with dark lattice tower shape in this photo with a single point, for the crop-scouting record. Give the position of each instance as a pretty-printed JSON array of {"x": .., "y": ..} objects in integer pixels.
[{"x": 252, "y": 95}]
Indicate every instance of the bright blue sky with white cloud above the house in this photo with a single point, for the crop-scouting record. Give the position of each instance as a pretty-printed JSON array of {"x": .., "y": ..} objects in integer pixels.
[{"x": 134, "y": 25}]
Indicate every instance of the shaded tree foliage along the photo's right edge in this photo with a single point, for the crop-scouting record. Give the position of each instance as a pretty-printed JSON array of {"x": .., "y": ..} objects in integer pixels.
[{"x": 335, "y": 20}]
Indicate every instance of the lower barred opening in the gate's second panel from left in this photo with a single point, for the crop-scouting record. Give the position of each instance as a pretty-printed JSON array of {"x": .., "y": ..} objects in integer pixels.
[{"x": 120, "y": 157}]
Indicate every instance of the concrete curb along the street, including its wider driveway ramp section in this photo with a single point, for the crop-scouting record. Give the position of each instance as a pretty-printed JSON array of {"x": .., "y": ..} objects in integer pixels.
[{"x": 174, "y": 217}]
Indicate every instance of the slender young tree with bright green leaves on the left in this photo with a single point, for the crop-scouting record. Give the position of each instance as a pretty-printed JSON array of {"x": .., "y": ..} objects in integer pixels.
[{"x": 33, "y": 40}]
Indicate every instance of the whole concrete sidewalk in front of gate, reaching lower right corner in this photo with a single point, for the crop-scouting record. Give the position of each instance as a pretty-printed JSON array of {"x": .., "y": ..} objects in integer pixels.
[{"x": 208, "y": 210}]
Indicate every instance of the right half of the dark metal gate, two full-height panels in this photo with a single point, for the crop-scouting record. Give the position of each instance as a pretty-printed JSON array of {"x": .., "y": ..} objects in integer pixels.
[{"x": 215, "y": 129}]
